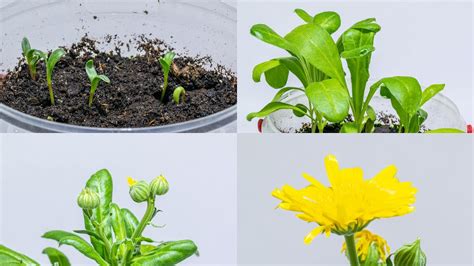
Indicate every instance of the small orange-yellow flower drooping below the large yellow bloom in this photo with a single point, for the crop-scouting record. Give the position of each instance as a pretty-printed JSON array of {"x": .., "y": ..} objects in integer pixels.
[{"x": 364, "y": 239}]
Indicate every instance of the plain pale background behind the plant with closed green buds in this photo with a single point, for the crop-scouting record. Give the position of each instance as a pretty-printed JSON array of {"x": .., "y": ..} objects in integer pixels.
[{"x": 43, "y": 174}]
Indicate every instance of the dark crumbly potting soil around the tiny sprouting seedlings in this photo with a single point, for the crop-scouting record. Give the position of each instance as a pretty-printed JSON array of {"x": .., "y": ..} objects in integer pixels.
[{"x": 132, "y": 99}]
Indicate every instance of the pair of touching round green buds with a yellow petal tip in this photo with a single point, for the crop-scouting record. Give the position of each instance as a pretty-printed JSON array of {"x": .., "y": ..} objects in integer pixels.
[{"x": 141, "y": 191}]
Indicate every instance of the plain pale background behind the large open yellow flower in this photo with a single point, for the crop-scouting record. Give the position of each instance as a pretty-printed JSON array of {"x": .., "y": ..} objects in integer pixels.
[{"x": 439, "y": 166}]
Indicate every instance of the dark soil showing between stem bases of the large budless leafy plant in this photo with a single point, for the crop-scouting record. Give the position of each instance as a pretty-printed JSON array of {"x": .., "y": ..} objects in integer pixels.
[{"x": 385, "y": 123}]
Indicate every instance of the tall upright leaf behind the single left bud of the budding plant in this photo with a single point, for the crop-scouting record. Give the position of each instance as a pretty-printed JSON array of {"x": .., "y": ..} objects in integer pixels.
[{"x": 100, "y": 182}]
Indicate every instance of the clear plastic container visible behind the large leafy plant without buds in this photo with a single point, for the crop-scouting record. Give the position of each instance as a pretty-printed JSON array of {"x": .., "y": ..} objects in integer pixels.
[{"x": 442, "y": 113}]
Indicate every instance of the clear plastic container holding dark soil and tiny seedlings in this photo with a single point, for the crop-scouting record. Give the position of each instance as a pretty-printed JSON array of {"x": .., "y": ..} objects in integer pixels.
[{"x": 191, "y": 27}]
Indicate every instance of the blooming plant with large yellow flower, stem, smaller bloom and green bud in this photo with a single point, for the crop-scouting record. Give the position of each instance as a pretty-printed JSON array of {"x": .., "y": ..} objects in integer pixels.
[{"x": 349, "y": 205}]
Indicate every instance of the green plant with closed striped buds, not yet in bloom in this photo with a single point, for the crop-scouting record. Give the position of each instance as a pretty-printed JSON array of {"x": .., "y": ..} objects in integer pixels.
[{"x": 116, "y": 234}]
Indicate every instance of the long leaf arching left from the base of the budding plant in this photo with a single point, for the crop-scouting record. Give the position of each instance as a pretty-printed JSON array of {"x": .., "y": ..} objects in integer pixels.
[{"x": 66, "y": 238}]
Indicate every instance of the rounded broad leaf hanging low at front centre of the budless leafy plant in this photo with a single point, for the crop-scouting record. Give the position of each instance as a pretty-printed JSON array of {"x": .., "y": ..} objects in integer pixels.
[{"x": 329, "y": 98}]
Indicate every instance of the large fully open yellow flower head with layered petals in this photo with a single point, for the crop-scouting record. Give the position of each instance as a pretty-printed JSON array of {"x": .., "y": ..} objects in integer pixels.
[{"x": 350, "y": 203}]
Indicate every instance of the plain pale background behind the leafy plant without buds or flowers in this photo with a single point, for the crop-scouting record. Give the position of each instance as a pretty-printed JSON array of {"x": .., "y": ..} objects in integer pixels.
[{"x": 429, "y": 40}]
